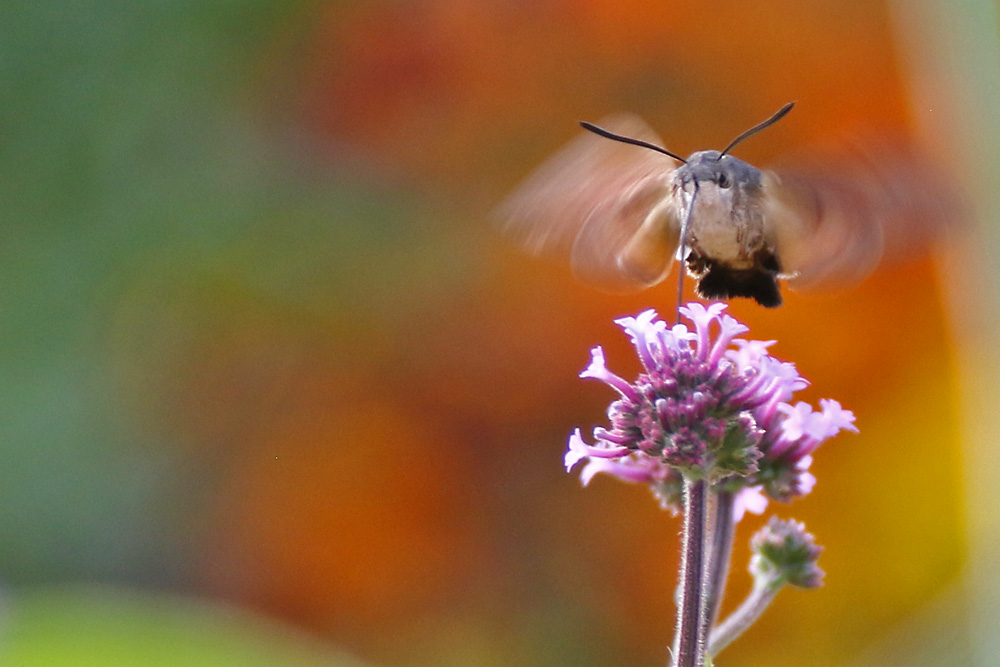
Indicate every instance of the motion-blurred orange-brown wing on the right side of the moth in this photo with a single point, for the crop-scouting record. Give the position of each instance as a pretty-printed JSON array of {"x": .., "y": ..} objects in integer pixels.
[{"x": 833, "y": 220}]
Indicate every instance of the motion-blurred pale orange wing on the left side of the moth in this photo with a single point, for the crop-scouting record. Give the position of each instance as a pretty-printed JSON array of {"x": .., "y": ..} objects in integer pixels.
[{"x": 601, "y": 204}]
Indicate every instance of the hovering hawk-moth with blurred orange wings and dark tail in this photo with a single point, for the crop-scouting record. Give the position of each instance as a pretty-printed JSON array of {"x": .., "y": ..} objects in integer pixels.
[{"x": 623, "y": 208}]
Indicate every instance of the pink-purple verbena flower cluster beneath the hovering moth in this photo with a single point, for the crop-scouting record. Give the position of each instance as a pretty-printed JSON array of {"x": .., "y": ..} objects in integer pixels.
[{"x": 708, "y": 405}]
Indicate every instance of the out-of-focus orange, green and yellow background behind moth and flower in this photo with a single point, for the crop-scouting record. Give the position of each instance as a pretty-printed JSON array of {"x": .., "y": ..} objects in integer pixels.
[{"x": 275, "y": 392}]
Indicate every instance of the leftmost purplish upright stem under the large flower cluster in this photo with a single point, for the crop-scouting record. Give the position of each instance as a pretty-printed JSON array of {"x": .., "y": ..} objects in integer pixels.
[{"x": 691, "y": 610}]
